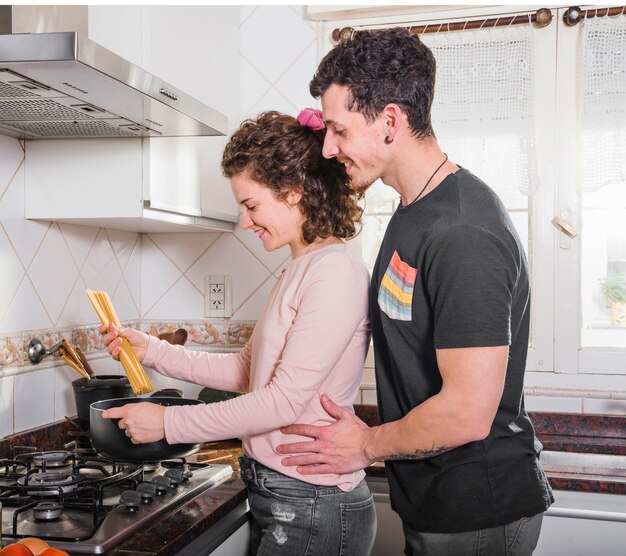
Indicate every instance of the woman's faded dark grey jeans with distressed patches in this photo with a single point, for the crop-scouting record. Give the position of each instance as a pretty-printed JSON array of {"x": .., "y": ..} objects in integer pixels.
[{"x": 294, "y": 518}]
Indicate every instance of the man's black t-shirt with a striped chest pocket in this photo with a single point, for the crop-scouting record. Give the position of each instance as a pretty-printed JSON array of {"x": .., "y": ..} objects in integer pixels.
[{"x": 452, "y": 273}]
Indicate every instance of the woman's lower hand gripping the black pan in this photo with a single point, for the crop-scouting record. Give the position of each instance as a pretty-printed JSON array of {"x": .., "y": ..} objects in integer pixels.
[{"x": 143, "y": 422}]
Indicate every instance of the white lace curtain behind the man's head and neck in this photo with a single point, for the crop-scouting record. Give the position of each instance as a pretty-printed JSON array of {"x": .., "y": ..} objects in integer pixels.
[{"x": 483, "y": 107}]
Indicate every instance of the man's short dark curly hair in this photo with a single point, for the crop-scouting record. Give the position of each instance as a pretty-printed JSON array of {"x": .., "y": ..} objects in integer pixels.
[{"x": 382, "y": 67}]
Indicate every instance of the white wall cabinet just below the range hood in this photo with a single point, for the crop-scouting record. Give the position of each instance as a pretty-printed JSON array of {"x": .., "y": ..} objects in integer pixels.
[{"x": 140, "y": 185}]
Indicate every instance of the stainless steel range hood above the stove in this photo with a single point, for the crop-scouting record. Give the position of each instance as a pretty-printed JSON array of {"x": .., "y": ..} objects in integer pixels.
[{"x": 61, "y": 85}]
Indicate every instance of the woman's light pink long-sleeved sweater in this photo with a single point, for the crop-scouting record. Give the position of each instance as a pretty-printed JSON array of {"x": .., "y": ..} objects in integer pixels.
[{"x": 312, "y": 338}]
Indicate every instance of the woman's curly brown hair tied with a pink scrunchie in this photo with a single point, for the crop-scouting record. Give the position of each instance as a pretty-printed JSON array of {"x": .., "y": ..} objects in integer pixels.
[{"x": 277, "y": 152}]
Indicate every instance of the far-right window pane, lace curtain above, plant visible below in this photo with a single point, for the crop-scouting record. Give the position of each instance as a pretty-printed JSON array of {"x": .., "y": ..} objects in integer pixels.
[{"x": 603, "y": 182}]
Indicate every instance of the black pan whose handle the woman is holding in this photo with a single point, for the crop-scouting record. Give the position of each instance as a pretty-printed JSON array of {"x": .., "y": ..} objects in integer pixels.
[{"x": 111, "y": 442}]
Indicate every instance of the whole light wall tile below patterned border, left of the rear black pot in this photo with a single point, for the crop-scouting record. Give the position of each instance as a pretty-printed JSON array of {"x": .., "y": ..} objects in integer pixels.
[{"x": 34, "y": 399}]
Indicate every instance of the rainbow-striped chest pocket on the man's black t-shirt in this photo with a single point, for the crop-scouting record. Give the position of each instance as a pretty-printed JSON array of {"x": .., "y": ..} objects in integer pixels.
[{"x": 395, "y": 295}]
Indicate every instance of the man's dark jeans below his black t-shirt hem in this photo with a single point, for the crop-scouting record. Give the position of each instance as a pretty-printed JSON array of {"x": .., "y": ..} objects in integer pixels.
[{"x": 514, "y": 539}]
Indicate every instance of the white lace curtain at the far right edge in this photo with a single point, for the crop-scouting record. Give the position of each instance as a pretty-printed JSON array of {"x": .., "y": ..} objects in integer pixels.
[{"x": 603, "y": 103}]
